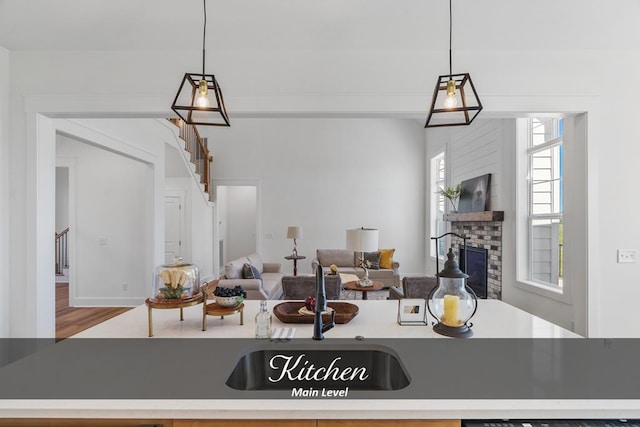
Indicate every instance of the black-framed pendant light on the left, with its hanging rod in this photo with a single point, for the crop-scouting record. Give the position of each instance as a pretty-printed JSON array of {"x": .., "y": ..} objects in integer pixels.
[{"x": 199, "y": 99}]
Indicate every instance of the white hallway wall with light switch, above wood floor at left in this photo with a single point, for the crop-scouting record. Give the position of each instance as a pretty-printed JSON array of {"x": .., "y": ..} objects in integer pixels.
[{"x": 111, "y": 230}]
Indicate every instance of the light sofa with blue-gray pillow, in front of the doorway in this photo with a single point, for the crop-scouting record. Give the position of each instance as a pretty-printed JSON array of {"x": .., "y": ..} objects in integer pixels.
[{"x": 261, "y": 280}]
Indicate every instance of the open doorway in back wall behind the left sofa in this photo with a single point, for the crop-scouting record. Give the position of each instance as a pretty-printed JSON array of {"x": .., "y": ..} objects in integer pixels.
[{"x": 237, "y": 220}]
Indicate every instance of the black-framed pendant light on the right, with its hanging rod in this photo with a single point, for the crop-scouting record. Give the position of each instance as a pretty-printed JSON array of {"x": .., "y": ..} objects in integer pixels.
[{"x": 455, "y": 100}]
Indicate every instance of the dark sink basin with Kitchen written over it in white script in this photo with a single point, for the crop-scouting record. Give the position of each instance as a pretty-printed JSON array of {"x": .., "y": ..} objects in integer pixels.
[{"x": 286, "y": 367}]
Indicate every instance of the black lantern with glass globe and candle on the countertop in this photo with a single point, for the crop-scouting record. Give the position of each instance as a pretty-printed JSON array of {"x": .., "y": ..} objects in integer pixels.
[{"x": 452, "y": 302}]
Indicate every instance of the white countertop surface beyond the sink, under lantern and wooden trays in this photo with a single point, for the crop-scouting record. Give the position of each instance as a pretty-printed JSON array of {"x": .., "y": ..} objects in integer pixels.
[{"x": 376, "y": 318}]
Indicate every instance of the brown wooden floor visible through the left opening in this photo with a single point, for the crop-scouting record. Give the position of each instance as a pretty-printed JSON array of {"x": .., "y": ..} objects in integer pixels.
[{"x": 70, "y": 320}]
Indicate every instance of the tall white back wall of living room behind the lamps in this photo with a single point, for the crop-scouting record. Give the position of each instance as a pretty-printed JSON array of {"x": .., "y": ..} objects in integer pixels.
[{"x": 328, "y": 175}]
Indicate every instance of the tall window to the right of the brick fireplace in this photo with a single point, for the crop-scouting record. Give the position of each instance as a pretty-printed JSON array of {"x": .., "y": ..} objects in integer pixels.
[{"x": 545, "y": 205}]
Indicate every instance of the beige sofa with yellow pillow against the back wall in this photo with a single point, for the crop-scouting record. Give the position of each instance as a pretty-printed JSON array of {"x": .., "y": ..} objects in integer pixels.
[{"x": 348, "y": 262}]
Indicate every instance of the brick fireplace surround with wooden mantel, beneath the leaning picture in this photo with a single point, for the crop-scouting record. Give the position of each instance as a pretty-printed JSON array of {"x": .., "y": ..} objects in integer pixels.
[{"x": 483, "y": 230}]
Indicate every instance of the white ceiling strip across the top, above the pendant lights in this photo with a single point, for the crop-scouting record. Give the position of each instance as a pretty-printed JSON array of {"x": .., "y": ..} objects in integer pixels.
[{"x": 318, "y": 24}]
